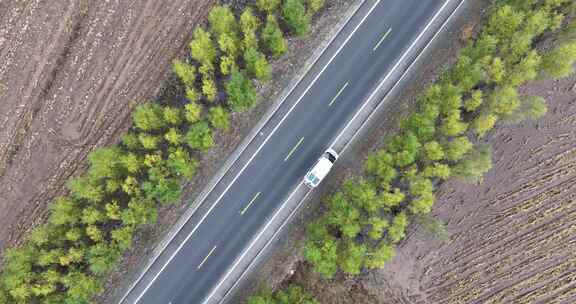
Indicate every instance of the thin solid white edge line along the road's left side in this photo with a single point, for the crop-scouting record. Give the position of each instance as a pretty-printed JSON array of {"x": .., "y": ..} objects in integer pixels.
[{"x": 254, "y": 155}]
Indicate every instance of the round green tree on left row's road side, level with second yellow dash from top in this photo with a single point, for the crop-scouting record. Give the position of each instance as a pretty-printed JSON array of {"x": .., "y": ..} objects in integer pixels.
[{"x": 241, "y": 92}]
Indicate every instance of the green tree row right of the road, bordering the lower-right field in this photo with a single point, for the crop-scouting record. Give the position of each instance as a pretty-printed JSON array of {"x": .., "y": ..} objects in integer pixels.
[{"x": 361, "y": 224}]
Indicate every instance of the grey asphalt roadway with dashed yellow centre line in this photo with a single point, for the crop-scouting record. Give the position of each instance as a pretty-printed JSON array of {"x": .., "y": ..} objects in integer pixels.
[{"x": 293, "y": 146}]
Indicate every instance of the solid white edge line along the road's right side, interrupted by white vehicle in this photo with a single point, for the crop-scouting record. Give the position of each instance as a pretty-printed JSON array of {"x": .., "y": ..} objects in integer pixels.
[{"x": 238, "y": 260}]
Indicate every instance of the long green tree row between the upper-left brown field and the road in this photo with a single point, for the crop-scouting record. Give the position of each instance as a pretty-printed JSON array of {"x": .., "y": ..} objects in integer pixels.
[{"x": 66, "y": 259}]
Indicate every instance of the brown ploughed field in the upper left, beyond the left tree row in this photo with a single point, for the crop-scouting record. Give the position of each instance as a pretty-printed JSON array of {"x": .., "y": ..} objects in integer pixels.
[{"x": 70, "y": 73}]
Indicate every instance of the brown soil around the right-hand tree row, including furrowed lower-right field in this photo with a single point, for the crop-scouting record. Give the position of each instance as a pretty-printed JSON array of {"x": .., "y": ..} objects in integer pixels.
[{"x": 511, "y": 238}]
